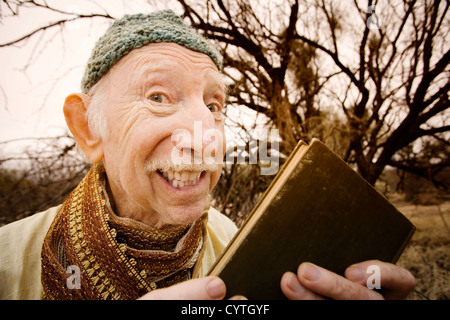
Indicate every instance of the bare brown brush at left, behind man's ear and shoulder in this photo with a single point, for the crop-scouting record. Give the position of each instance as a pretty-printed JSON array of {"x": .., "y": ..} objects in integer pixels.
[{"x": 40, "y": 177}]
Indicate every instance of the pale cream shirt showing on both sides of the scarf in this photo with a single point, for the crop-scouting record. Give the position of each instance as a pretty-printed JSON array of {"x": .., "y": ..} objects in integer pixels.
[{"x": 21, "y": 245}]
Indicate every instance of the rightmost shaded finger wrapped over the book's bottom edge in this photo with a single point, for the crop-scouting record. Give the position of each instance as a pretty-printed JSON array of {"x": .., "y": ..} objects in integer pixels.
[{"x": 395, "y": 282}]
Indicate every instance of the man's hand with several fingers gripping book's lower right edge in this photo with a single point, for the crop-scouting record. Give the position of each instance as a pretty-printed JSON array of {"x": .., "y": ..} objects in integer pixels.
[{"x": 315, "y": 283}]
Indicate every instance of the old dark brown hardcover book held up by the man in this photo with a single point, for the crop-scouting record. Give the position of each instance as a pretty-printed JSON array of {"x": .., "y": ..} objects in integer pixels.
[{"x": 317, "y": 209}]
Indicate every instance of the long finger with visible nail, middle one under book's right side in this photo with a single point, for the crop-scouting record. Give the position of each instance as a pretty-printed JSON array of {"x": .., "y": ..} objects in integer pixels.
[{"x": 332, "y": 285}]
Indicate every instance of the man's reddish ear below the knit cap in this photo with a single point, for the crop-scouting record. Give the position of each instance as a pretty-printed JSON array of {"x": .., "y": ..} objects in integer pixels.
[{"x": 75, "y": 112}]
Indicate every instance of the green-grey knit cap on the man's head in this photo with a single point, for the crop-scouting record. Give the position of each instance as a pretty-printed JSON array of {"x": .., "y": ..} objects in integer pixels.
[{"x": 135, "y": 31}]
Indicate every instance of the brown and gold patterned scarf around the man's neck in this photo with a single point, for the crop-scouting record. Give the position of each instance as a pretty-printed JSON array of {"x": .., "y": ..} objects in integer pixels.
[{"x": 113, "y": 257}]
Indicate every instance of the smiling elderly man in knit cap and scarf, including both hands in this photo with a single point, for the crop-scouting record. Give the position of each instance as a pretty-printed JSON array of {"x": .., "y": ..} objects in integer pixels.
[{"x": 140, "y": 225}]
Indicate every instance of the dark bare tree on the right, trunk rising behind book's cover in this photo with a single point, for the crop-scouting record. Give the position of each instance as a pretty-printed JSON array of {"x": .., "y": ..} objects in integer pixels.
[{"x": 403, "y": 68}]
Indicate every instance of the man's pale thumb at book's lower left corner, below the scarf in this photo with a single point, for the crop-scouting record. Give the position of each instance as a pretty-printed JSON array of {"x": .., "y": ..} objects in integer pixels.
[{"x": 209, "y": 288}]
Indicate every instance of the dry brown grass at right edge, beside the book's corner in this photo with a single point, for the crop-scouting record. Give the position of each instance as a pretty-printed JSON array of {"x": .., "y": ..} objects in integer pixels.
[{"x": 427, "y": 256}]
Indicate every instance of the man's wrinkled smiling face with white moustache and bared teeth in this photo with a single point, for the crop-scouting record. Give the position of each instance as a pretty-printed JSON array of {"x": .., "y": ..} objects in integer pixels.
[{"x": 163, "y": 103}]
